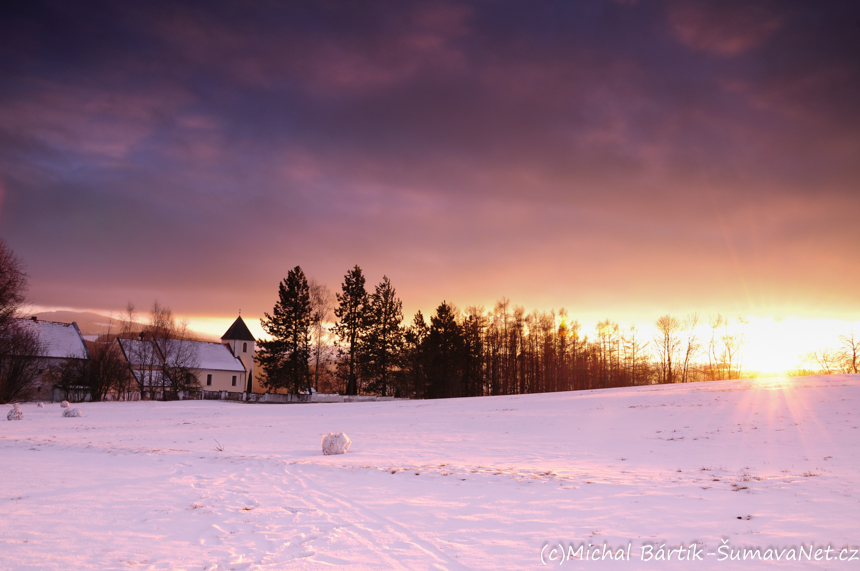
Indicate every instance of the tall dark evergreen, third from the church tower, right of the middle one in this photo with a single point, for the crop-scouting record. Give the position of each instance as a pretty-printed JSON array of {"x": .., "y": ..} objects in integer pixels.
[{"x": 383, "y": 342}]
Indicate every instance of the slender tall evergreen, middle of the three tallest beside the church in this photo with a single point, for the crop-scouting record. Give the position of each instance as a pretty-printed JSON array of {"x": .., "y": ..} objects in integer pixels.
[{"x": 350, "y": 328}]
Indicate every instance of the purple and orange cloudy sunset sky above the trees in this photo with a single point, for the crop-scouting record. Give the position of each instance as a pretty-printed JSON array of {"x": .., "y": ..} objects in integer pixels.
[{"x": 621, "y": 159}]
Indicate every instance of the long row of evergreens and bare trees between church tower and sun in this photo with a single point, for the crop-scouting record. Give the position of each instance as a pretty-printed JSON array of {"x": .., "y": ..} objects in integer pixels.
[{"x": 475, "y": 352}]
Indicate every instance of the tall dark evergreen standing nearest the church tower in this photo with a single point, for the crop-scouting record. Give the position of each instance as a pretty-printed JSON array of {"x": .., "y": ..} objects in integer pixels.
[{"x": 284, "y": 358}]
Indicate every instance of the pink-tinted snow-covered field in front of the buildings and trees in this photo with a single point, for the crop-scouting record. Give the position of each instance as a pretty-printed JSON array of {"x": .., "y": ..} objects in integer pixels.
[{"x": 483, "y": 483}]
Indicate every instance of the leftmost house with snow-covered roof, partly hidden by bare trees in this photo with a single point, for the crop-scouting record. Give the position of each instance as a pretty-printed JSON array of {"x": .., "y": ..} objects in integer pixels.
[{"x": 61, "y": 343}]
